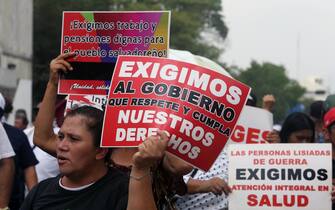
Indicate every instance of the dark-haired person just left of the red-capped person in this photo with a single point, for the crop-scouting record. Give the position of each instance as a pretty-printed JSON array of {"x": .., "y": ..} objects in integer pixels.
[{"x": 316, "y": 112}]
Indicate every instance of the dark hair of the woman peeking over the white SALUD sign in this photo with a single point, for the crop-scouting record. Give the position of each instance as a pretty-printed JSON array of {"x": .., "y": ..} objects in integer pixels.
[{"x": 296, "y": 121}]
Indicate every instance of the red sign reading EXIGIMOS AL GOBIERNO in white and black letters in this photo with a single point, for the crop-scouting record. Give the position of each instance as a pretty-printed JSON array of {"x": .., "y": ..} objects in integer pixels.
[{"x": 198, "y": 107}]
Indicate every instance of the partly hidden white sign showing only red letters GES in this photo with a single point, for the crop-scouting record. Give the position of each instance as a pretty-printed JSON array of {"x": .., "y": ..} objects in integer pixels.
[{"x": 252, "y": 127}]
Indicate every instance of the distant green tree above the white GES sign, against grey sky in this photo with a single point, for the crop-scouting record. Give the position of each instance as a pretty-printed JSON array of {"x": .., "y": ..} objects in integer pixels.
[{"x": 269, "y": 78}]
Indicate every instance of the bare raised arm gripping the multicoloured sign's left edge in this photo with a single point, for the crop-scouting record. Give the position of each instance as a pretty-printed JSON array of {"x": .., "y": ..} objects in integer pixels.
[{"x": 44, "y": 136}]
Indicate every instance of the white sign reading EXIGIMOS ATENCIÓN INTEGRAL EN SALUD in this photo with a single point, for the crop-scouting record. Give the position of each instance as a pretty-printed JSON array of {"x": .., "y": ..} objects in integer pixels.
[{"x": 280, "y": 176}]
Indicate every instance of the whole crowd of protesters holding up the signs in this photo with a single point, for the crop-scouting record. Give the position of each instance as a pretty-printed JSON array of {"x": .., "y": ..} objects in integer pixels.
[{"x": 48, "y": 167}]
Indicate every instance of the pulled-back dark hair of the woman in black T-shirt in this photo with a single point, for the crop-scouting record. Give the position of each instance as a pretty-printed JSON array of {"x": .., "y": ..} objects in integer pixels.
[{"x": 94, "y": 120}]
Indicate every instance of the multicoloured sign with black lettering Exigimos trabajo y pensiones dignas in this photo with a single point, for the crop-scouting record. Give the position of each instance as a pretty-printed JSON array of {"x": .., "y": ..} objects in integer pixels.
[{"x": 99, "y": 37}]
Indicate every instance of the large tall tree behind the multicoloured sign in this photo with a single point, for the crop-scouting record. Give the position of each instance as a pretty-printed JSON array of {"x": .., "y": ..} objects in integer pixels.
[{"x": 189, "y": 19}]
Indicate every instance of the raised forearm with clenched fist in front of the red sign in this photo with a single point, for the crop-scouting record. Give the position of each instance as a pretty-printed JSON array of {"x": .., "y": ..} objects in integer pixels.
[{"x": 140, "y": 185}]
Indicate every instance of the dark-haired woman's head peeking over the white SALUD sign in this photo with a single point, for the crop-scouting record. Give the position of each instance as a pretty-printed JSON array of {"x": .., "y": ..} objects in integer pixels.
[{"x": 298, "y": 127}]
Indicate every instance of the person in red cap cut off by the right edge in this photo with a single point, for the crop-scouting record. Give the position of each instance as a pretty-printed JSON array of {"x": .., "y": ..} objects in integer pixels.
[{"x": 329, "y": 133}]
